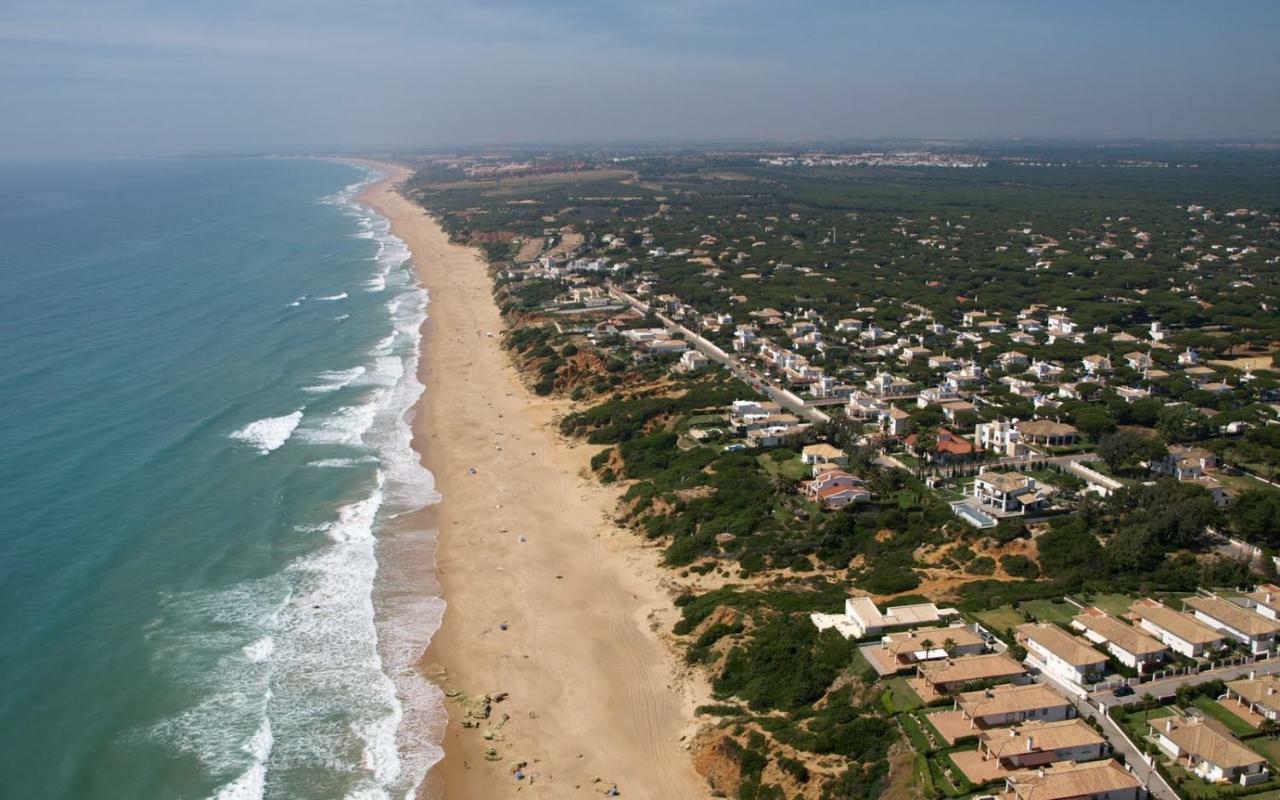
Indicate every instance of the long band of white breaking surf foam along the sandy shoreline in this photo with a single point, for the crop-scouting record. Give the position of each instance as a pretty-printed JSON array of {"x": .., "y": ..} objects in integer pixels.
[{"x": 321, "y": 661}]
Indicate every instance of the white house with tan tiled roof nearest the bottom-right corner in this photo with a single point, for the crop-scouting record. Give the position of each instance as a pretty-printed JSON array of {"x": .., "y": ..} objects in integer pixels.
[{"x": 1209, "y": 751}]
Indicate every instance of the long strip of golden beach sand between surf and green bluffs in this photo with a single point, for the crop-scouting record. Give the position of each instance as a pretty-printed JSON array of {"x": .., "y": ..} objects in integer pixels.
[{"x": 596, "y": 697}]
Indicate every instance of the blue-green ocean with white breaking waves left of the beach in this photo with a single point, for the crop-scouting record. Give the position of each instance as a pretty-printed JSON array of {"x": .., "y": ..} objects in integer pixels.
[{"x": 211, "y": 586}]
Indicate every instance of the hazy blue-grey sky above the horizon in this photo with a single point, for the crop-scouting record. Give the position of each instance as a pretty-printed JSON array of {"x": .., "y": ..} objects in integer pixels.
[{"x": 159, "y": 77}]
